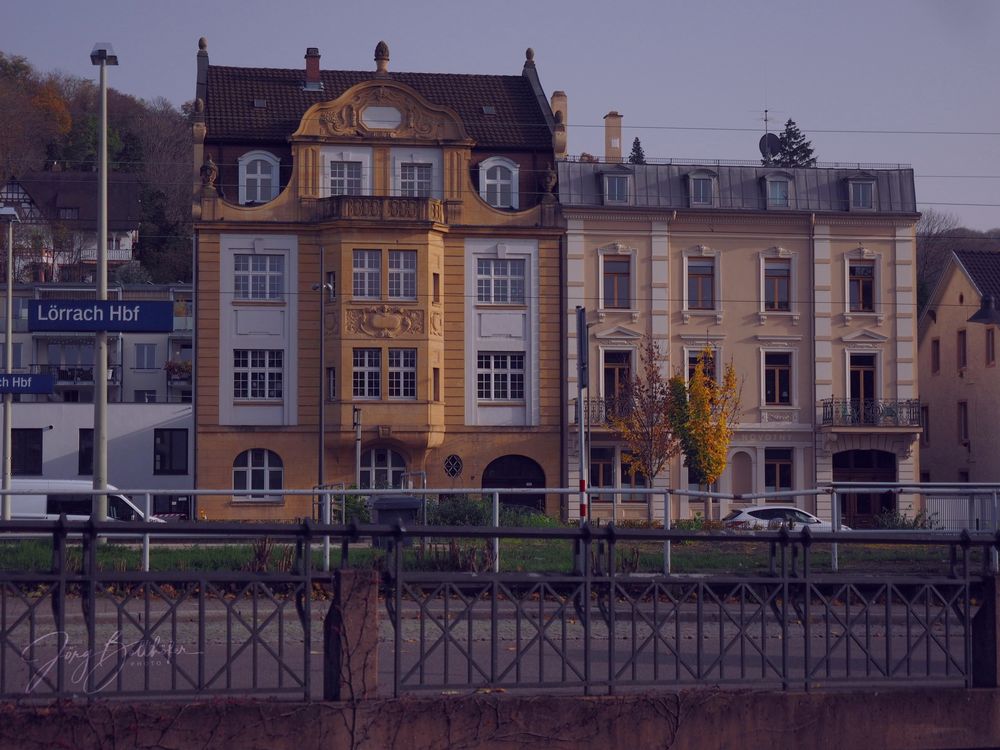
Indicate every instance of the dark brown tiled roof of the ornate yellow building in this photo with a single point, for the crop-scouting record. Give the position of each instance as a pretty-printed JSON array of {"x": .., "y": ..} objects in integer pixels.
[{"x": 230, "y": 114}]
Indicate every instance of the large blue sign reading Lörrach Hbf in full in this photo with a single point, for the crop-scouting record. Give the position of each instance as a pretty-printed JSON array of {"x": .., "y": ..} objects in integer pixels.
[{"x": 100, "y": 315}]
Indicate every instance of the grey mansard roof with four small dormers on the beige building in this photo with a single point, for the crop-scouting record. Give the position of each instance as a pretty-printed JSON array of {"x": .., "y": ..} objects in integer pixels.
[{"x": 738, "y": 188}]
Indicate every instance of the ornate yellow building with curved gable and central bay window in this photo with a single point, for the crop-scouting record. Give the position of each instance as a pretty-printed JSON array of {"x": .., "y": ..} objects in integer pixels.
[{"x": 377, "y": 247}]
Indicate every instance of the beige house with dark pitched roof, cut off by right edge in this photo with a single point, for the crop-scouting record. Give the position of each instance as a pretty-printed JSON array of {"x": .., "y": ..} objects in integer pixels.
[{"x": 959, "y": 380}]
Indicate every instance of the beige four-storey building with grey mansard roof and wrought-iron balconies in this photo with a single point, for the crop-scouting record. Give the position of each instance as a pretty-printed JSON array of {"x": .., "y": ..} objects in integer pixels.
[{"x": 803, "y": 278}]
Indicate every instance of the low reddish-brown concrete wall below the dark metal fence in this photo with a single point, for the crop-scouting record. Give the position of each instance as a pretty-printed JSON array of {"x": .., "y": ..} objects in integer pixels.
[{"x": 691, "y": 720}]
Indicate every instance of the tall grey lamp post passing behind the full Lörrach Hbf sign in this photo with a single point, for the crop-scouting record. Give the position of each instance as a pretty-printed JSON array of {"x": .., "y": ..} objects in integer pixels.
[{"x": 102, "y": 55}]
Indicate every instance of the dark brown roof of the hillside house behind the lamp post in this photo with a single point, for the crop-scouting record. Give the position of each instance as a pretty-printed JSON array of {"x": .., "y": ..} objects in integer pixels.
[{"x": 52, "y": 191}]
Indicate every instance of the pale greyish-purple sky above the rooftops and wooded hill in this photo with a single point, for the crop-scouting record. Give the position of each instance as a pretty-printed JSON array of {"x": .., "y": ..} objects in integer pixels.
[{"x": 867, "y": 81}]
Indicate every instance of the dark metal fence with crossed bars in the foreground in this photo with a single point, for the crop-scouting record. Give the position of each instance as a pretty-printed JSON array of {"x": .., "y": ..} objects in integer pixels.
[{"x": 596, "y": 626}]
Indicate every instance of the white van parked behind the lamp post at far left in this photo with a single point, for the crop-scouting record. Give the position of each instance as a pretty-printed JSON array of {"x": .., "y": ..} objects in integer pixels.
[{"x": 49, "y": 498}]
